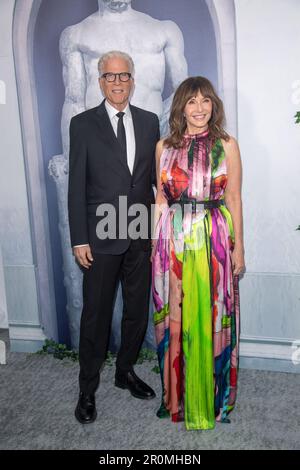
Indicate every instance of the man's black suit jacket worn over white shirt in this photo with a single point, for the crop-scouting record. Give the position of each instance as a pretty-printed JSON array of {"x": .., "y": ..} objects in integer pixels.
[{"x": 98, "y": 173}]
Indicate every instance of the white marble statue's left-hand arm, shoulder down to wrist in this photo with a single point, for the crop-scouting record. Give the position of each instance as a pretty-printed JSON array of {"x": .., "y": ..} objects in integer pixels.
[{"x": 74, "y": 81}]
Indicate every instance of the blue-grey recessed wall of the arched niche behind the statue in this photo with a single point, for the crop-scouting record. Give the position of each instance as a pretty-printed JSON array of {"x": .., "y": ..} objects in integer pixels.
[{"x": 192, "y": 16}]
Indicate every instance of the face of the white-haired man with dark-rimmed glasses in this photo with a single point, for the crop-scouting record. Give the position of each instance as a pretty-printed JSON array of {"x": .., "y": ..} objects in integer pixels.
[{"x": 117, "y": 93}]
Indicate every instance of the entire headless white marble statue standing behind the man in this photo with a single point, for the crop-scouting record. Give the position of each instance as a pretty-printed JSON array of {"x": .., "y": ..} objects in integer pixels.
[{"x": 157, "y": 49}]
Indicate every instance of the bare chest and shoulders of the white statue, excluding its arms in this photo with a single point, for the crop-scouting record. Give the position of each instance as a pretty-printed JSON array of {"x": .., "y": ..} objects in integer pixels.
[{"x": 140, "y": 36}]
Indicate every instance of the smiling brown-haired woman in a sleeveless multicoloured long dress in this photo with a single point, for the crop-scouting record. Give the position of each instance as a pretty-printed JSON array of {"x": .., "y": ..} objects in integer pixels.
[{"x": 197, "y": 257}]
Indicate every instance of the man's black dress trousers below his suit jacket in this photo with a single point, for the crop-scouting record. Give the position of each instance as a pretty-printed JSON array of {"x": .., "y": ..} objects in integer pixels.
[{"x": 133, "y": 268}]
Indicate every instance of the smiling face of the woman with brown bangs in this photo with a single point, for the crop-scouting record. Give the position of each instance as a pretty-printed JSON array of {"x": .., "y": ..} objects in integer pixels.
[{"x": 198, "y": 111}]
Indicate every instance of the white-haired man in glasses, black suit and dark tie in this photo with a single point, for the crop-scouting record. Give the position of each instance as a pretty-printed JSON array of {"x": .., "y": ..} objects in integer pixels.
[{"x": 112, "y": 154}]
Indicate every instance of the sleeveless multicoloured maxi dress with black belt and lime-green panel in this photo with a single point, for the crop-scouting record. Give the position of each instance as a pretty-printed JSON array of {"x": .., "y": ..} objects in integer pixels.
[{"x": 196, "y": 296}]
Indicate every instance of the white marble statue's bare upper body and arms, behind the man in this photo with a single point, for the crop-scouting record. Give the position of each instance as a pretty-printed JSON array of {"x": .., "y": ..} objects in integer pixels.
[{"x": 155, "y": 46}]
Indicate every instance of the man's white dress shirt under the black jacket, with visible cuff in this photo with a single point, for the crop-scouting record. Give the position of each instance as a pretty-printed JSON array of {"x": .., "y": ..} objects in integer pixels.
[{"x": 129, "y": 131}]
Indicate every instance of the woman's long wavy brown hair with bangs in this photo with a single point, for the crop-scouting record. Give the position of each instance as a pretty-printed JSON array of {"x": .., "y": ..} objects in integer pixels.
[{"x": 188, "y": 89}]
